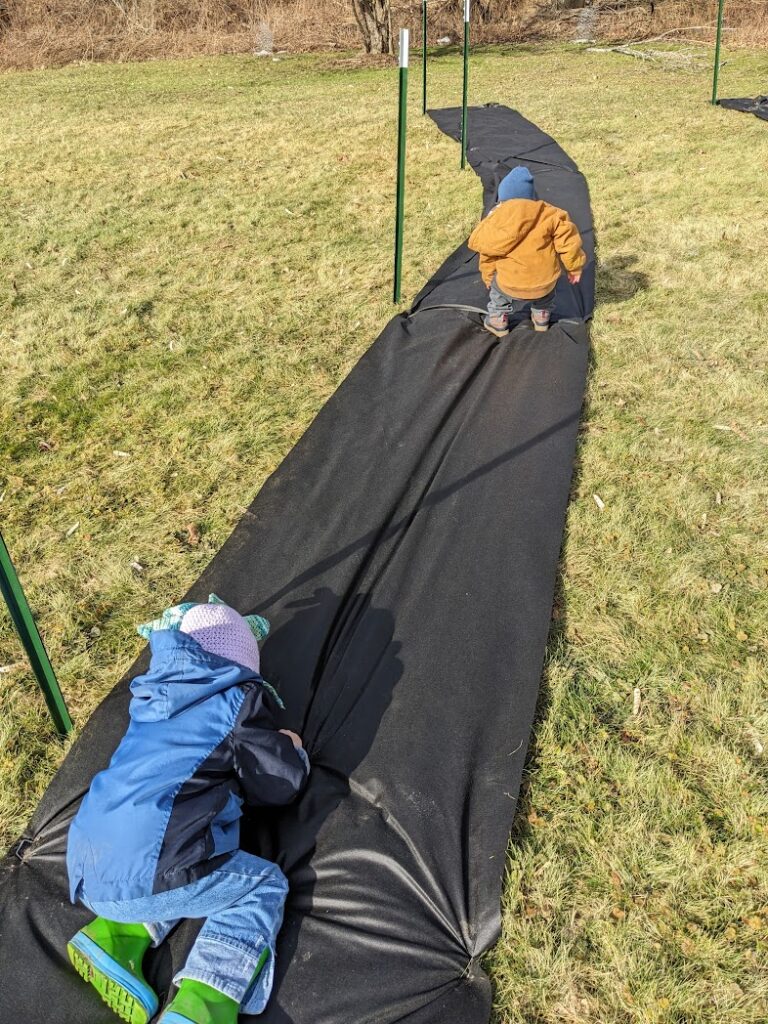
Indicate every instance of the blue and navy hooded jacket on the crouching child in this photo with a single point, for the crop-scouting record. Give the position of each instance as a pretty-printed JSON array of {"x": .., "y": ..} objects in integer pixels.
[{"x": 202, "y": 742}]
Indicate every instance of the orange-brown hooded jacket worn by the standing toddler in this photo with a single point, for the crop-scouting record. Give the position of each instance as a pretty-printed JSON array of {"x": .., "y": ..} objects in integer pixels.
[{"x": 523, "y": 242}]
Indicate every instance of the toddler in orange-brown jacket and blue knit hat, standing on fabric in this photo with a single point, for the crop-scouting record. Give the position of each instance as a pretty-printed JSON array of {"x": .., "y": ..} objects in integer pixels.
[{"x": 525, "y": 243}]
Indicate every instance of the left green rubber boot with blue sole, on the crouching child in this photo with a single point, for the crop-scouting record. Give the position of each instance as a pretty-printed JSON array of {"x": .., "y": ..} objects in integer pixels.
[{"x": 108, "y": 955}]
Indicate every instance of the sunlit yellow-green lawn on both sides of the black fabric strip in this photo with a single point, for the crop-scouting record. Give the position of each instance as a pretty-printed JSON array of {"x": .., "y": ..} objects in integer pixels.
[{"x": 194, "y": 254}]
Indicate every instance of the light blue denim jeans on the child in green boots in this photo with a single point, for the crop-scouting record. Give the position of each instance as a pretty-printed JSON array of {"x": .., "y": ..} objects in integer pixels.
[{"x": 242, "y": 903}]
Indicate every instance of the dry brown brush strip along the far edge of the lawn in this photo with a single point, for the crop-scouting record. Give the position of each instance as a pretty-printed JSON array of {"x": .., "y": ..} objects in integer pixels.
[{"x": 45, "y": 33}]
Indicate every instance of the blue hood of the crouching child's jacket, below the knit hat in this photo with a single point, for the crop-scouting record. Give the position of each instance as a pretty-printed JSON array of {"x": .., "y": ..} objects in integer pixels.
[{"x": 182, "y": 674}]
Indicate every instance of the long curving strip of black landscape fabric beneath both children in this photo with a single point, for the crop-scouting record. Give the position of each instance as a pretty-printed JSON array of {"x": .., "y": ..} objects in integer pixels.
[{"x": 406, "y": 553}]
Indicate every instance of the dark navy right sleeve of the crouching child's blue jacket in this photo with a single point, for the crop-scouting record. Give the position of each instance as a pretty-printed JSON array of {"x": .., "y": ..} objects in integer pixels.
[{"x": 270, "y": 769}]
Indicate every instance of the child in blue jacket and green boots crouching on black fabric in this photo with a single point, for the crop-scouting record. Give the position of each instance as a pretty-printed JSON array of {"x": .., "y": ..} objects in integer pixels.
[{"x": 157, "y": 837}]
